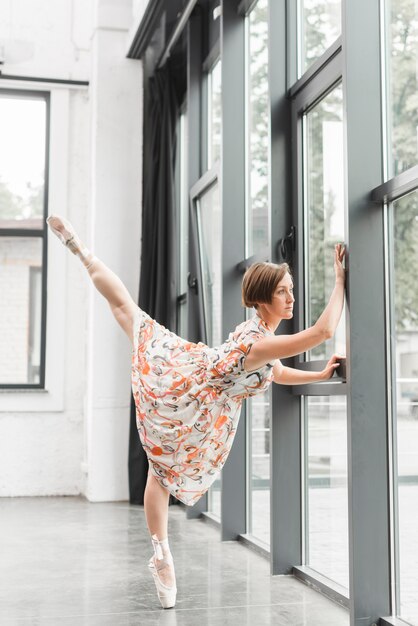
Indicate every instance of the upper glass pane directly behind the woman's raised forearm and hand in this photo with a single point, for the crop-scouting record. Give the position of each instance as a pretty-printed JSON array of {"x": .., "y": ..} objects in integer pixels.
[{"x": 324, "y": 210}]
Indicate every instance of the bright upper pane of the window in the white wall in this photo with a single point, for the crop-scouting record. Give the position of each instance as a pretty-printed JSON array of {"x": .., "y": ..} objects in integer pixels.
[{"x": 22, "y": 161}]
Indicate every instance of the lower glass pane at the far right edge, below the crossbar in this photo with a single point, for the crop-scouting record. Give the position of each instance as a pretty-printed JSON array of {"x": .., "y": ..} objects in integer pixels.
[{"x": 405, "y": 363}]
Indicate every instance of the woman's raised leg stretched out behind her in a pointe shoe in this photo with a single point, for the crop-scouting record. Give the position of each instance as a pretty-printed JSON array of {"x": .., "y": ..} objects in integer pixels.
[{"x": 106, "y": 282}]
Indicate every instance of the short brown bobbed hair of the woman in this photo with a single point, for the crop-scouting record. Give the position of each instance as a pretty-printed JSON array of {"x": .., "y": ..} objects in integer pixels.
[{"x": 260, "y": 281}]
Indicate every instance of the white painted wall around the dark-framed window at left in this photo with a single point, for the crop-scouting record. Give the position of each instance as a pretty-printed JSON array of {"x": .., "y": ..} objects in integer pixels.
[{"x": 72, "y": 437}]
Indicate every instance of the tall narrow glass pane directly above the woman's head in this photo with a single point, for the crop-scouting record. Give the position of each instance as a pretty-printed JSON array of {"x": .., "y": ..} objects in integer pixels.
[{"x": 258, "y": 222}]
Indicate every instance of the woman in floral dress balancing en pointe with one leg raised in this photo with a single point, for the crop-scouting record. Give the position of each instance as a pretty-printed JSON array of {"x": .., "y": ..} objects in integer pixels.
[{"x": 188, "y": 396}]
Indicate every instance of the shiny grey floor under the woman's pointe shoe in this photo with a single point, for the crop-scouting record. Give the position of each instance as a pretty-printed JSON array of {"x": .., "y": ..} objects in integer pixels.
[{"x": 67, "y": 561}]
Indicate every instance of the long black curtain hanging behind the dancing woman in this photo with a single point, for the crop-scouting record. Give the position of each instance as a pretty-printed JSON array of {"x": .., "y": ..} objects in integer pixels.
[{"x": 157, "y": 293}]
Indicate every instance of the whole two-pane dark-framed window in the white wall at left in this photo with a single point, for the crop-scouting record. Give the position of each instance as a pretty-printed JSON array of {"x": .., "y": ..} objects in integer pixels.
[{"x": 23, "y": 132}]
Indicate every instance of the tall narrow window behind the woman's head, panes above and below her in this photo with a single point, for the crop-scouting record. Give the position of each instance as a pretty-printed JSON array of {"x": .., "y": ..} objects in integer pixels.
[{"x": 258, "y": 241}]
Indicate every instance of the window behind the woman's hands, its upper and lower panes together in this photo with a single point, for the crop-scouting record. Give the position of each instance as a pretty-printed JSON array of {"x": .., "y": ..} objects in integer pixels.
[{"x": 324, "y": 410}]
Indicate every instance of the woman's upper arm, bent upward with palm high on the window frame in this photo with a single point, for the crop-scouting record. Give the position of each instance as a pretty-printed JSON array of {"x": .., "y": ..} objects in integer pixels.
[{"x": 283, "y": 346}]
